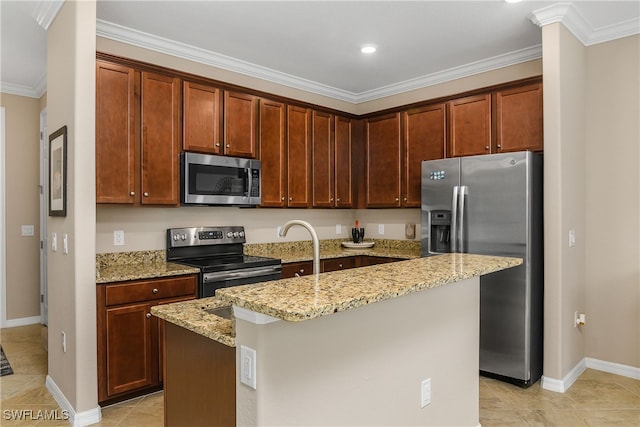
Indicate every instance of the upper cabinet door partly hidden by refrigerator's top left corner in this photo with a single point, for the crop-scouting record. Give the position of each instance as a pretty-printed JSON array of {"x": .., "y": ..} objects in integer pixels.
[{"x": 424, "y": 139}]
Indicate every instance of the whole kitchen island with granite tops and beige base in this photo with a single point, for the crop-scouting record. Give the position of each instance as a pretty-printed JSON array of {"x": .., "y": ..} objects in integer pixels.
[{"x": 352, "y": 347}]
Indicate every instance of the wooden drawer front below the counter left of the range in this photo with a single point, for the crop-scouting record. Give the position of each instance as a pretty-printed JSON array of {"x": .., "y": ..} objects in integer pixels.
[{"x": 148, "y": 290}]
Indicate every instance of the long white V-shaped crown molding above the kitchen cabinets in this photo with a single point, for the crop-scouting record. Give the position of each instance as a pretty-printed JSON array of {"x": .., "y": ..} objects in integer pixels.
[{"x": 147, "y": 41}]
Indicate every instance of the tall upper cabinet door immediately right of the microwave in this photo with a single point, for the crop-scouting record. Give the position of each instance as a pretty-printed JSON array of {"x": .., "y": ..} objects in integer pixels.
[{"x": 272, "y": 153}]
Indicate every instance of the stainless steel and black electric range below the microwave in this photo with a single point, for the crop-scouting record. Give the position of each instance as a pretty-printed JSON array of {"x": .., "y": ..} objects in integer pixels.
[{"x": 218, "y": 253}]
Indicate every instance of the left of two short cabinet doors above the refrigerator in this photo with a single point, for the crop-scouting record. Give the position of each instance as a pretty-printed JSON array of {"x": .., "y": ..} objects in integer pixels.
[{"x": 470, "y": 126}]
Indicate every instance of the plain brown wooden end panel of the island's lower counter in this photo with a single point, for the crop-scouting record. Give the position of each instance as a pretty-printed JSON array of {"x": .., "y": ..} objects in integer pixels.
[{"x": 199, "y": 380}]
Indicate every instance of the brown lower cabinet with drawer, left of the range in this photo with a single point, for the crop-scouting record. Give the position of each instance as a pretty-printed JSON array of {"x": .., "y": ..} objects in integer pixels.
[{"x": 129, "y": 343}]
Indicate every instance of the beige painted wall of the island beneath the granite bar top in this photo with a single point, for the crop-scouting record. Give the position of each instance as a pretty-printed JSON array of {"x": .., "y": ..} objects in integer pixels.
[{"x": 365, "y": 366}]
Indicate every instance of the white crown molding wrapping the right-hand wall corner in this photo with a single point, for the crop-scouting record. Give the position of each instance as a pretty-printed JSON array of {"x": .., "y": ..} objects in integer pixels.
[{"x": 570, "y": 17}]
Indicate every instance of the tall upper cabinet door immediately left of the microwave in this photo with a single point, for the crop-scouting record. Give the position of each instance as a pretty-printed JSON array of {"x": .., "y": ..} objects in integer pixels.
[{"x": 160, "y": 139}]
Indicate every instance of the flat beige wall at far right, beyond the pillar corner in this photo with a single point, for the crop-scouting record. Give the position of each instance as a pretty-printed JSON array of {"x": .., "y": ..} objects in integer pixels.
[{"x": 612, "y": 240}]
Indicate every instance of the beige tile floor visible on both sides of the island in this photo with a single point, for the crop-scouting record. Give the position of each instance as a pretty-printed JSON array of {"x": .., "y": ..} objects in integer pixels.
[{"x": 596, "y": 399}]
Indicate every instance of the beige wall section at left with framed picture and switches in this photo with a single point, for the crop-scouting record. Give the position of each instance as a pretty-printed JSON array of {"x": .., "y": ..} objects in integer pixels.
[{"x": 71, "y": 277}]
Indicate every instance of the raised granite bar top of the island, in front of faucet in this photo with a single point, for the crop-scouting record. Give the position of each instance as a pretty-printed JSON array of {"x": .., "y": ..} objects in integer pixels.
[{"x": 308, "y": 297}]
